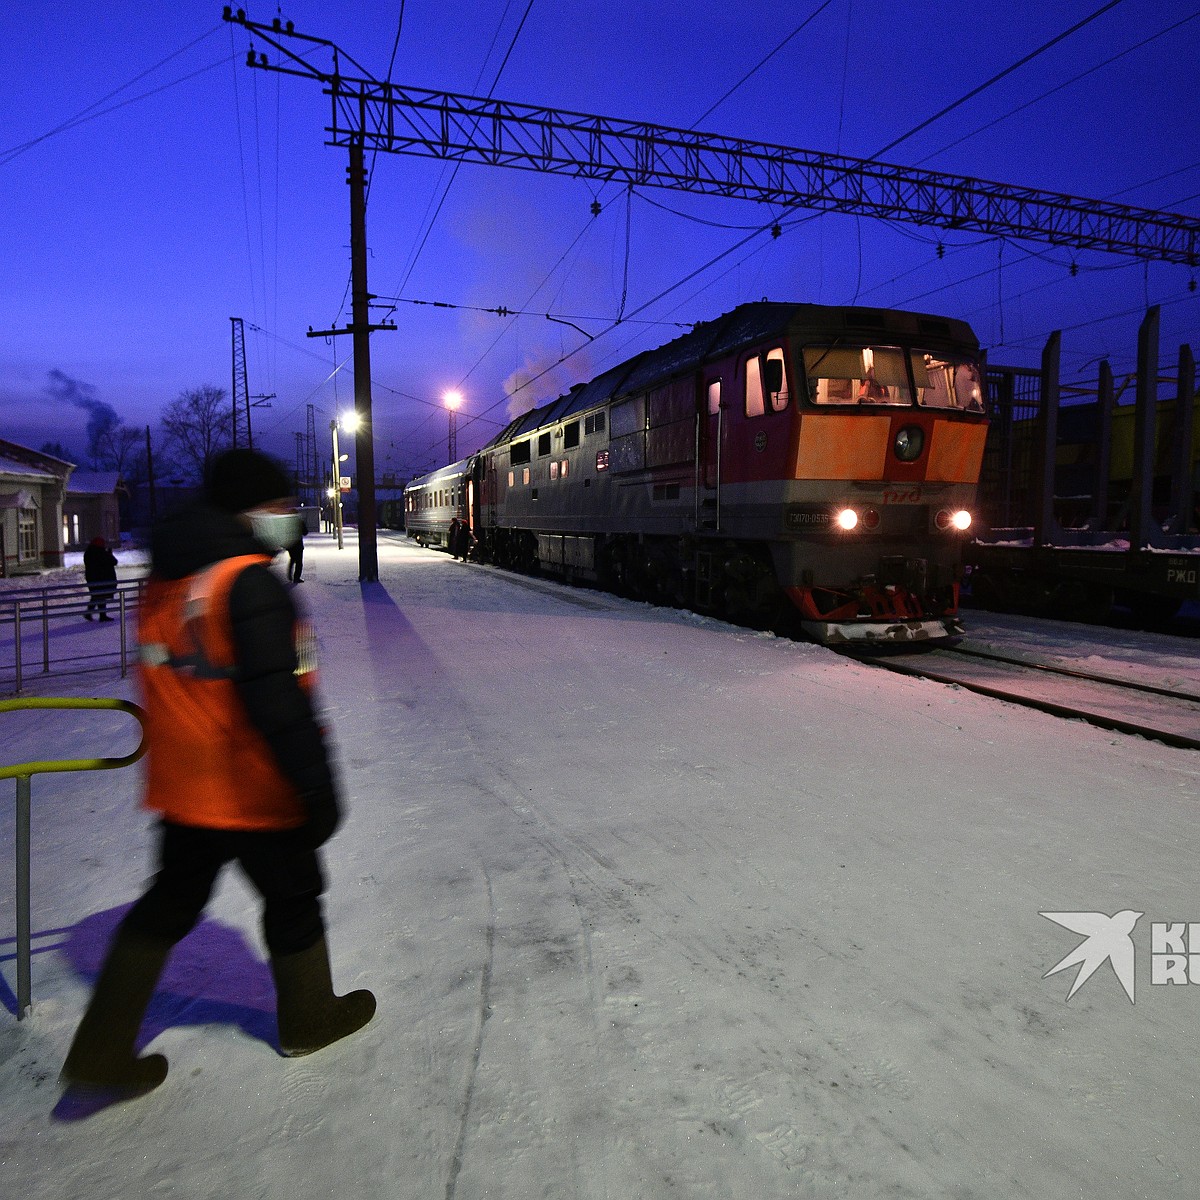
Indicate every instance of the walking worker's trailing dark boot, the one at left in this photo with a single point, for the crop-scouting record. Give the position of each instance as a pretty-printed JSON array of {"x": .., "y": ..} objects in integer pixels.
[{"x": 103, "y": 1052}]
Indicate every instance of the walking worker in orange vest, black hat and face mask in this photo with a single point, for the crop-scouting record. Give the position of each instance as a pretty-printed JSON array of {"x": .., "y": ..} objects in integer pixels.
[{"x": 237, "y": 770}]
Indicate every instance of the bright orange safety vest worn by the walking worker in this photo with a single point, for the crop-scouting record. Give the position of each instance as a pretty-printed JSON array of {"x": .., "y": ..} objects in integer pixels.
[{"x": 206, "y": 764}]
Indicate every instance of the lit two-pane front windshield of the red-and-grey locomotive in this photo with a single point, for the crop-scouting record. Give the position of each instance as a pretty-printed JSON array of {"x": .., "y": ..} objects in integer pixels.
[{"x": 880, "y": 375}]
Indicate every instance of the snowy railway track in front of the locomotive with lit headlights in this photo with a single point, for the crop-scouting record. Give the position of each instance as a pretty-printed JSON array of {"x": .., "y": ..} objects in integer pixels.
[{"x": 1126, "y": 706}]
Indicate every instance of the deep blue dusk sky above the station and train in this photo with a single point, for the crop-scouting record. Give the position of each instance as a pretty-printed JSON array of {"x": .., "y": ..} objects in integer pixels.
[{"x": 205, "y": 191}]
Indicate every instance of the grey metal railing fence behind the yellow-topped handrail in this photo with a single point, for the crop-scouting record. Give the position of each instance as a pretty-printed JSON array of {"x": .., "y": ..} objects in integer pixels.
[{"x": 39, "y": 609}]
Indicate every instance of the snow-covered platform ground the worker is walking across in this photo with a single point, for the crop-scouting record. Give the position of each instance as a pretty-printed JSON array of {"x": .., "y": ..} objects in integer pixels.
[{"x": 655, "y": 908}]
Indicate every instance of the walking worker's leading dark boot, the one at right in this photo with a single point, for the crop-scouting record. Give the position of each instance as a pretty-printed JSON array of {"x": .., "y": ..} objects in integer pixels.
[{"x": 310, "y": 1015}]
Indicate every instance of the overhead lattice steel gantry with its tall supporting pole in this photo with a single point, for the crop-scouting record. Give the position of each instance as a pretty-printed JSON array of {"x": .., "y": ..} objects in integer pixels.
[{"x": 367, "y": 113}]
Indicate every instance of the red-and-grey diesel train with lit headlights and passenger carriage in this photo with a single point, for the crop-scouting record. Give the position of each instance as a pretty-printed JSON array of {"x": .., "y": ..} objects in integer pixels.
[{"x": 784, "y": 463}]
